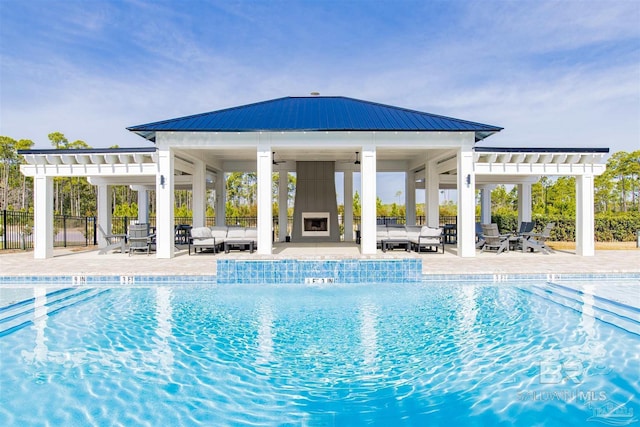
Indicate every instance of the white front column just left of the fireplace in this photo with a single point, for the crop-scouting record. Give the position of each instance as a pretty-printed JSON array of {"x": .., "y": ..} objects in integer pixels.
[{"x": 265, "y": 162}]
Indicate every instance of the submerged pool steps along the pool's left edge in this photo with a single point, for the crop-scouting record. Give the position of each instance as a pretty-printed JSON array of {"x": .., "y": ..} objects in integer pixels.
[{"x": 23, "y": 313}]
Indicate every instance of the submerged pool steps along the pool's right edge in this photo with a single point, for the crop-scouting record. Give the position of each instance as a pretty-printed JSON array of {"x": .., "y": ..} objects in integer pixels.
[{"x": 608, "y": 311}]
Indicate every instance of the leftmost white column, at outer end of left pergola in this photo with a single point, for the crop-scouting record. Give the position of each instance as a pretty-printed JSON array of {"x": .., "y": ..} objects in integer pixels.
[{"x": 43, "y": 217}]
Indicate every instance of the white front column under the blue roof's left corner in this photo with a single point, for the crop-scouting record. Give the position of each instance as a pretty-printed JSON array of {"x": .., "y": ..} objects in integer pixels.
[{"x": 165, "y": 236}]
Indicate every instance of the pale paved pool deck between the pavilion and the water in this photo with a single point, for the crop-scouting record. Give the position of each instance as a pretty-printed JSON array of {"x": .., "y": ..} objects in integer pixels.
[{"x": 86, "y": 261}]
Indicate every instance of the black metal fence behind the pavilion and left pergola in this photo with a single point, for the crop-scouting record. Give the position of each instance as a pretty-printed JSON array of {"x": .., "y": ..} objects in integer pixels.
[{"x": 16, "y": 228}]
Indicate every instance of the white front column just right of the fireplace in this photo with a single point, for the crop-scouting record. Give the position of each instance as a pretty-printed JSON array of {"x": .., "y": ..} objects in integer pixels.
[{"x": 368, "y": 220}]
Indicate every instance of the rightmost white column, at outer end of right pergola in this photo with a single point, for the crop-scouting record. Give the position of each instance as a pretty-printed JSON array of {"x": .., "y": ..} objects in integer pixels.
[{"x": 585, "y": 238}]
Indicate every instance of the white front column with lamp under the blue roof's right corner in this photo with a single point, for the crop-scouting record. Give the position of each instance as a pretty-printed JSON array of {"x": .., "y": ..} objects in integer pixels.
[{"x": 466, "y": 201}]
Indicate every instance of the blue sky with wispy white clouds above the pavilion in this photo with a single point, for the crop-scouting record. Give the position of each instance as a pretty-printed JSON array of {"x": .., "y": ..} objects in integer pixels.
[{"x": 551, "y": 73}]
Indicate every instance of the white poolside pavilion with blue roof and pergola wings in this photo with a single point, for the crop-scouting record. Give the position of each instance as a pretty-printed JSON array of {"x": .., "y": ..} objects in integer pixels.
[{"x": 196, "y": 151}]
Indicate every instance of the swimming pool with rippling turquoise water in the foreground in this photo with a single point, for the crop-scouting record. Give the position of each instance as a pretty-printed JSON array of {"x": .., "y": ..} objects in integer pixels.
[{"x": 317, "y": 355}]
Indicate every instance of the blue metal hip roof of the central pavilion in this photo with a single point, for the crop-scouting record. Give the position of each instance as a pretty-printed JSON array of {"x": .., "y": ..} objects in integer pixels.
[{"x": 314, "y": 113}]
